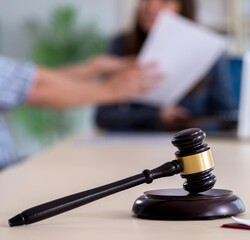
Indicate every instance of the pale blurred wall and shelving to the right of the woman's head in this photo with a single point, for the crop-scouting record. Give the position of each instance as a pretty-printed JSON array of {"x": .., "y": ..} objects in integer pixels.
[{"x": 228, "y": 16}]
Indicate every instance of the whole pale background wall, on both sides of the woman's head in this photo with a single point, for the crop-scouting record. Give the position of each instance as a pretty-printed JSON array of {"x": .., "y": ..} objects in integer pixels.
[{"x": 112, "y": 15}]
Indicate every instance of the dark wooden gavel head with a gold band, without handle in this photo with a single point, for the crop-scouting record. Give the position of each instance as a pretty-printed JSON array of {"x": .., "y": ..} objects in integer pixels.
[{"x": 196, "y": 160}]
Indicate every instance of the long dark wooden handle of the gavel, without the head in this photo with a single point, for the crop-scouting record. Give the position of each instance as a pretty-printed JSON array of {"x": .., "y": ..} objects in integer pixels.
[{"x": 70, "y": 202}]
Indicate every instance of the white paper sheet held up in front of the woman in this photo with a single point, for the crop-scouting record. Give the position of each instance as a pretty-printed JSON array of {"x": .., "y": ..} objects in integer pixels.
[{"x": 184, "y": 52}]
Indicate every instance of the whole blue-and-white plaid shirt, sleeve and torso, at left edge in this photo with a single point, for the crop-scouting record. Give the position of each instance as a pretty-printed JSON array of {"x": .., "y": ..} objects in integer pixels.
[{"x": 16, "y": 79}]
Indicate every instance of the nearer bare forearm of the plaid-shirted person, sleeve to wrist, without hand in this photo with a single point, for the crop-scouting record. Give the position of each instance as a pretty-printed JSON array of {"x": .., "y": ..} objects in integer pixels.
[{"x": 55, "y": 90}]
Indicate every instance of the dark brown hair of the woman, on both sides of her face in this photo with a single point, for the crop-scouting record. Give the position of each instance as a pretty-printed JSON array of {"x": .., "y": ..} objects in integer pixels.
[{"x": 137, "y": 36}]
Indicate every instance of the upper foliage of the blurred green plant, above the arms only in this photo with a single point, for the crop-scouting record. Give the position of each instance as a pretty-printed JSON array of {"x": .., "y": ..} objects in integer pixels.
[{"x": 62, "y": 41}]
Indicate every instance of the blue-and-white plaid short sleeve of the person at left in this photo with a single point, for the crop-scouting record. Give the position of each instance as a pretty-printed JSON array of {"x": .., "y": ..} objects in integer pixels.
[{"x": 16, "y": 79}]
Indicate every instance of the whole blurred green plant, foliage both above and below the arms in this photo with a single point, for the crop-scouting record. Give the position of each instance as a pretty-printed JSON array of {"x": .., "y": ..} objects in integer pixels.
[{"x": 61, "y": 41}]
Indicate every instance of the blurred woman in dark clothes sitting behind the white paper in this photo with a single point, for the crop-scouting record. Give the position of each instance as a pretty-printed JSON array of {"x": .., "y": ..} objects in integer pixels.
[{"x": 209, "y": 97}]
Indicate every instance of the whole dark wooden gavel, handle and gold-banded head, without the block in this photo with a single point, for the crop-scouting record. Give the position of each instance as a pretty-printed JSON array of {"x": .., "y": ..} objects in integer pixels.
[{"x": 193, "y": 161}]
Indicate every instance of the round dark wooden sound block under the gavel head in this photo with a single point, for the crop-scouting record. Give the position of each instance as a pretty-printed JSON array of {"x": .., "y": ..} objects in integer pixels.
[{"x": 177, "y": 204}]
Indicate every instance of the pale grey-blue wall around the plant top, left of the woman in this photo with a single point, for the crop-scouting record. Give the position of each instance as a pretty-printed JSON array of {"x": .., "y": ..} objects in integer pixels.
[{"x": 14, "y": 40}]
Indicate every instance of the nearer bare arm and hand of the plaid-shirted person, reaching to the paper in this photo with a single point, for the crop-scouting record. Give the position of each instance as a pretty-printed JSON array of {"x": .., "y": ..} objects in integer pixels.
[{"x": 54, "y": 89}]
